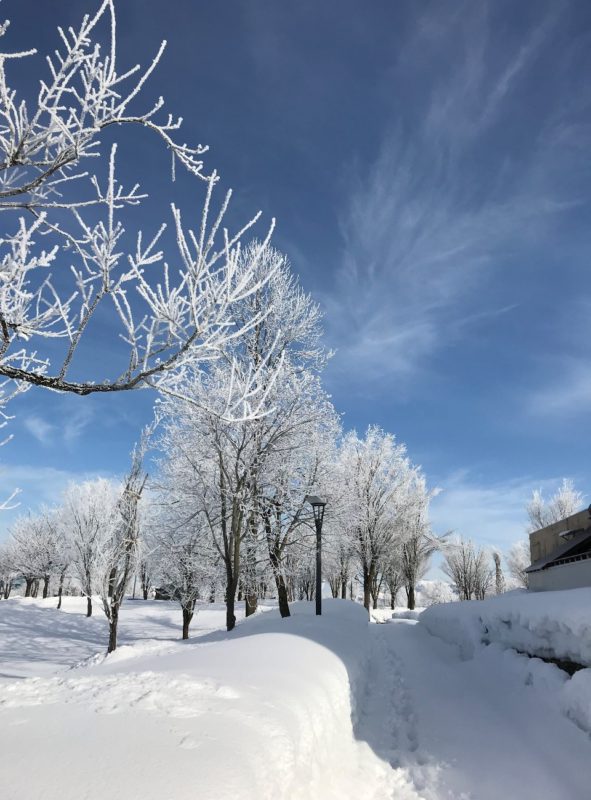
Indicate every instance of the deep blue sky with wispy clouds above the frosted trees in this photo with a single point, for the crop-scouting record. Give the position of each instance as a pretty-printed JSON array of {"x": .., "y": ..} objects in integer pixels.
[{"x": 428, "y": 165}]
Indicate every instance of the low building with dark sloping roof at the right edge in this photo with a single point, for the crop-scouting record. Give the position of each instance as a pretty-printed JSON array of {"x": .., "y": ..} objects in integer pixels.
[{"x": 561, "y": 554}]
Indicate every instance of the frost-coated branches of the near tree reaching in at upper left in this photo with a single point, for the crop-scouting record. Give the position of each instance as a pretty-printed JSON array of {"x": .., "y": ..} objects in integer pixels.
[{"x": 171, "y": 299}]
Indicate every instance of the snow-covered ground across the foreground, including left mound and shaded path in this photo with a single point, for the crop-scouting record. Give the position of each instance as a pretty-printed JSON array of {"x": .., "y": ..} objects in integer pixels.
[{"x": 308, "y": 707}]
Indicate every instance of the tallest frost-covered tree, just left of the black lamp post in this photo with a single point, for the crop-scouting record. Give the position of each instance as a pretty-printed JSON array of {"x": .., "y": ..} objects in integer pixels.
[{"x": 251, "y": 475}]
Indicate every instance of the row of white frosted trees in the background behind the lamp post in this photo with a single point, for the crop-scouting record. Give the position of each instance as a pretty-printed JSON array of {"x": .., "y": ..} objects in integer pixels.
[{"x": 224, "y": 513}]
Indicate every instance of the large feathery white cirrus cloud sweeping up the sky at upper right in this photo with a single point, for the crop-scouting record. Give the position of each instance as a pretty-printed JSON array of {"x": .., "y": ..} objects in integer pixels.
[{"x": 449, "y": 204}]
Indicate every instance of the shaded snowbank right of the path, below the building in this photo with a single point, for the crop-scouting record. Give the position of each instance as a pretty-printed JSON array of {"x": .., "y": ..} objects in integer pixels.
[{"x": 545, "y": 624}]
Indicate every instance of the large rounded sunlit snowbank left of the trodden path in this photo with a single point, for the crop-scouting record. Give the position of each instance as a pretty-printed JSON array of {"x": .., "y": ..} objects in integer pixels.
[{"x": 264, "y": 712}]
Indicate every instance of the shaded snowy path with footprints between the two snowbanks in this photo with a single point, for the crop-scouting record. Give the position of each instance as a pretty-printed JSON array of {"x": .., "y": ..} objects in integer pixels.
[{"x": 466, "y": 730}]
